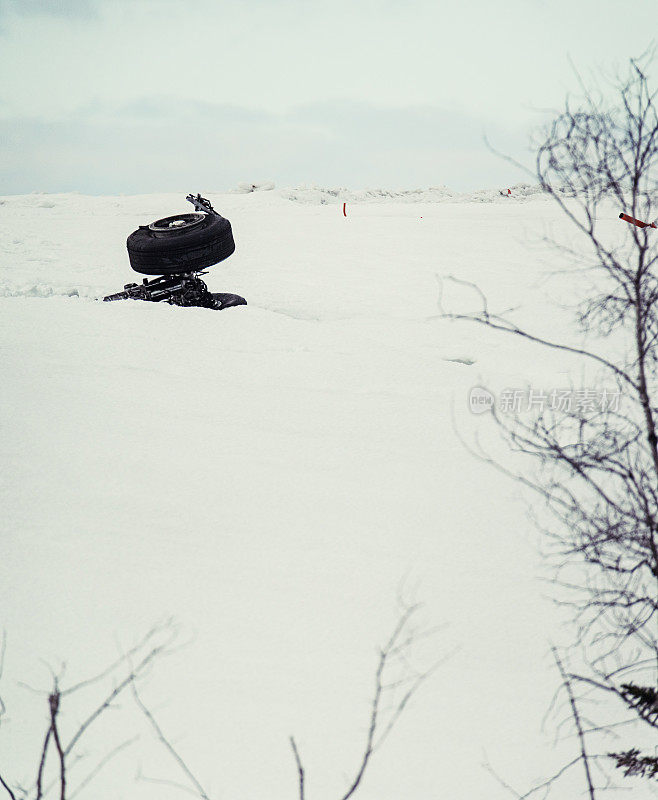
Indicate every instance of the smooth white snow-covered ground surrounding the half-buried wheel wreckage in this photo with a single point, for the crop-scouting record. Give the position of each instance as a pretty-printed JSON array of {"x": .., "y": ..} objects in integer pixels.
[{"x": 269, "y": 476}]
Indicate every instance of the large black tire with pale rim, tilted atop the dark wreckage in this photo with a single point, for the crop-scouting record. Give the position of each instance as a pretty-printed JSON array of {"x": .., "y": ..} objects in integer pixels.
[{"x": 181, "y": 243}]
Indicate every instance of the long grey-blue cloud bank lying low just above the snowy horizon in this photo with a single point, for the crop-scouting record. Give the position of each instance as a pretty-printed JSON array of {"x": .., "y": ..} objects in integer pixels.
[{"x": 164, "y": 144}]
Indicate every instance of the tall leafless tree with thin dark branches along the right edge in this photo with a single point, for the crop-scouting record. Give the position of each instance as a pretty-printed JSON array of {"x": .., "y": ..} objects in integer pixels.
[{"x": 596, "y": 468}]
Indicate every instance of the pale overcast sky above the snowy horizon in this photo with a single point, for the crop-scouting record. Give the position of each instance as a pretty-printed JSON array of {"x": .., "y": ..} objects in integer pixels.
[{"x": 132, "y": 96}]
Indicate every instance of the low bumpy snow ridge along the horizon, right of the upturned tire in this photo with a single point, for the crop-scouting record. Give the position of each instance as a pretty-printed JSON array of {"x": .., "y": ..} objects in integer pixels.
[{"x": 316, "y": 195}]
